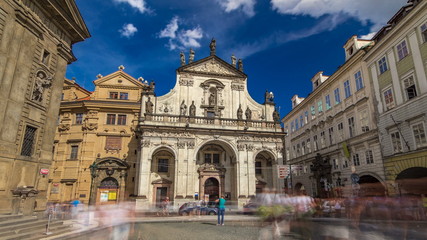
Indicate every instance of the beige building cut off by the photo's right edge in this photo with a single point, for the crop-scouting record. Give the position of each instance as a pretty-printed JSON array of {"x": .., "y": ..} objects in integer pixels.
[{"x": 397, "y": 65}]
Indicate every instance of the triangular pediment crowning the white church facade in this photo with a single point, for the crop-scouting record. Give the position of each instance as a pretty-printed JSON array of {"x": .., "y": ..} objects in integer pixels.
[{"x": 212, "y": 65}]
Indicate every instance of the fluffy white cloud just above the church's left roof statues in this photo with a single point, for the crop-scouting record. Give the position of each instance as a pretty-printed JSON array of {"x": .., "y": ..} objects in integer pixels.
[{"x": 181, "y": 39}]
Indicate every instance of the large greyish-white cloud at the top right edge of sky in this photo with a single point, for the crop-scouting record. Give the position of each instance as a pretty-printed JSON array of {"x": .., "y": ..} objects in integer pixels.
[{"x": 377, "y": 12}]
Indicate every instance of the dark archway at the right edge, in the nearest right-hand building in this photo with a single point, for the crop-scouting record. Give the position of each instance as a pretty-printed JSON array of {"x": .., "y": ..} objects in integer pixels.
[{"x": 412, "y": 181}]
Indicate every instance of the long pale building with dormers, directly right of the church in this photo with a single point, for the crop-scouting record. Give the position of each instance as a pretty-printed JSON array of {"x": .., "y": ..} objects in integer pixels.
[{"x": 332, "y": 134}]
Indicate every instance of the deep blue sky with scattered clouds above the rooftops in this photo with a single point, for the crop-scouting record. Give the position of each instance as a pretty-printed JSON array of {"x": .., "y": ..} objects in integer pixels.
[{"x": 283, "y": 43}]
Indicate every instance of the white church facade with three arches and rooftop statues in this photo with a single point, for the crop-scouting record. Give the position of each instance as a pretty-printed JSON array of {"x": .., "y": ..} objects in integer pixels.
[{"x": 207, "y": 137}]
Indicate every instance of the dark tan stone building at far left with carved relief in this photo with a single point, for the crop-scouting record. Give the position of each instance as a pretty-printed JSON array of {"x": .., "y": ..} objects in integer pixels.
[{"x": 35, "y": 47}]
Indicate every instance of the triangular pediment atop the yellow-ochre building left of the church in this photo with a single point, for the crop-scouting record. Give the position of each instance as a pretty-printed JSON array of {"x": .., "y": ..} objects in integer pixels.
[{"x": 118, "y": 79}]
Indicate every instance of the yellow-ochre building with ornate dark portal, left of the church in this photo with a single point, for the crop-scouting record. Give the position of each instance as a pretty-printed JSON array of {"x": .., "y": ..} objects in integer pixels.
[{"x": 95, "y": 144}]
